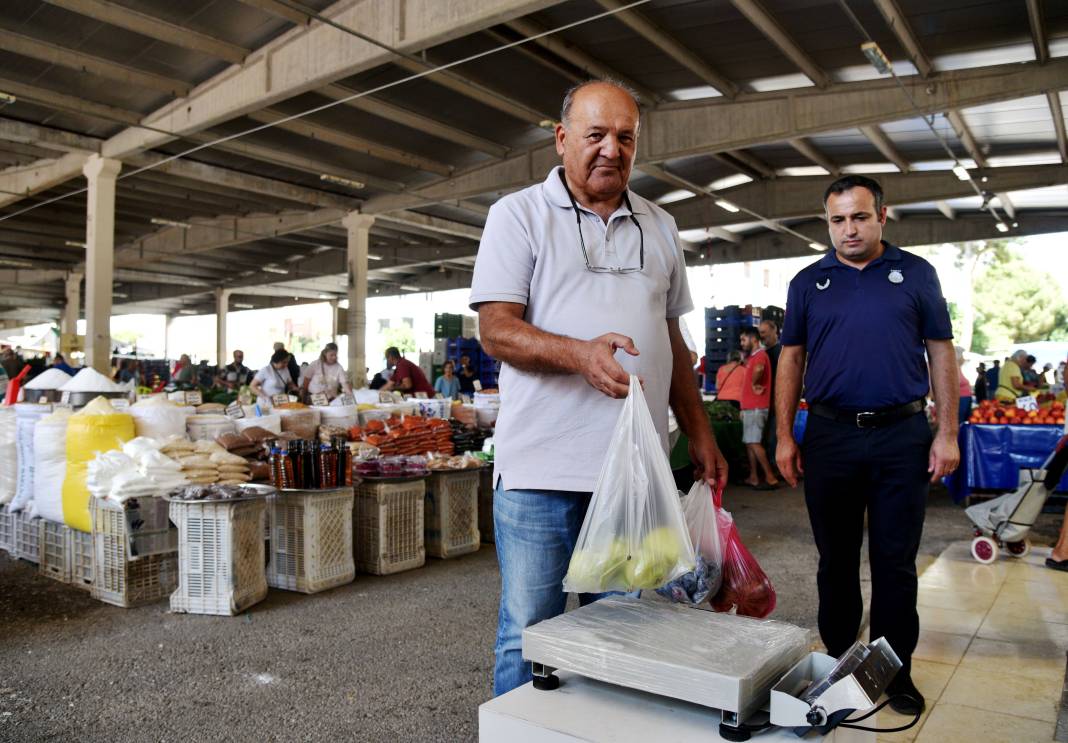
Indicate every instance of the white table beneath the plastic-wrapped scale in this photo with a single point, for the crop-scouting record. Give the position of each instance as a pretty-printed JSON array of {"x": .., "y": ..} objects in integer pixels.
[{"x": 587, "y": 710}]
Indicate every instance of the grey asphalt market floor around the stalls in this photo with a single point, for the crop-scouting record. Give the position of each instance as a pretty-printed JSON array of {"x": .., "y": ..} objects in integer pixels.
[{"x": 401, "y": 658}]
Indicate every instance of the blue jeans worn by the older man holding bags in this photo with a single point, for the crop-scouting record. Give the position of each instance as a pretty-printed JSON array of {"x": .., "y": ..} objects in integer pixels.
[{"x": 536, "y": 532}]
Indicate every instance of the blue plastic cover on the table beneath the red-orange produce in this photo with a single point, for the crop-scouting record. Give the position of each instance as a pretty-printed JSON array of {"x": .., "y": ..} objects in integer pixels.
[{"x": 992, "y": 456}]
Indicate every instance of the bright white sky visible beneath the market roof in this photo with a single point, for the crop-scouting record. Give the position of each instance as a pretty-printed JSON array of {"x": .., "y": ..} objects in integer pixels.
[{"x": 307, "y": 328}]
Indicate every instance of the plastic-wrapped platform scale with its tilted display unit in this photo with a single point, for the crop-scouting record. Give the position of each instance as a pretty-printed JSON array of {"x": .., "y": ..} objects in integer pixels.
[{"x": 729, "y": 663}]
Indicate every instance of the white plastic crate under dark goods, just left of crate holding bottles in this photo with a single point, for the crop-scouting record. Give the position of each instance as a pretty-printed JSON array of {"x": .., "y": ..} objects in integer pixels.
[{"x": 221, "y": 557}]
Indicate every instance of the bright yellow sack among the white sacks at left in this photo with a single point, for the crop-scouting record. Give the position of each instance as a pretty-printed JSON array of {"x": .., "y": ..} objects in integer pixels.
[{"x": 96, "y": 429}]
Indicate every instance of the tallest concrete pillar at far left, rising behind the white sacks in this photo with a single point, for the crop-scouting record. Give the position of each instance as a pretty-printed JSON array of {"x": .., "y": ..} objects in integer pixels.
[{"x": 100, "y": 259}]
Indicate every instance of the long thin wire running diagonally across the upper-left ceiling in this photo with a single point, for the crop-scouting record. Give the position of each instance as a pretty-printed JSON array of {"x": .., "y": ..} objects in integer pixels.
[{"x": 414, "y": 76}]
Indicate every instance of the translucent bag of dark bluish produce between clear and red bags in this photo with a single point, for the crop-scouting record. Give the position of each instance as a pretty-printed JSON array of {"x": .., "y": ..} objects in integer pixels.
[{"x": 706, "y": 578}]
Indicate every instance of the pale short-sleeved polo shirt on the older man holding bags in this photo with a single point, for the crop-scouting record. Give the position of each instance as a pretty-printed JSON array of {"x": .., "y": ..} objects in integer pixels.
[{"x": 554, "y": 430}]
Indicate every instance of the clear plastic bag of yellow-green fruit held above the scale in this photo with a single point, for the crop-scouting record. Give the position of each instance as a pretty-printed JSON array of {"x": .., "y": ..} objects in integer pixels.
[{"x": 635, "y": 535}]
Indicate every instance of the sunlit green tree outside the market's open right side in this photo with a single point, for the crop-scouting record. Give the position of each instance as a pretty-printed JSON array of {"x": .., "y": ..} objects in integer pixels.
[{"x": 1018, "y": 304}]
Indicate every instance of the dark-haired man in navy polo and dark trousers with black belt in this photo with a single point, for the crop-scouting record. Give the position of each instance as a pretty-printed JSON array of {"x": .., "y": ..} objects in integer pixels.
[{"x": 858, "y": 325}]
